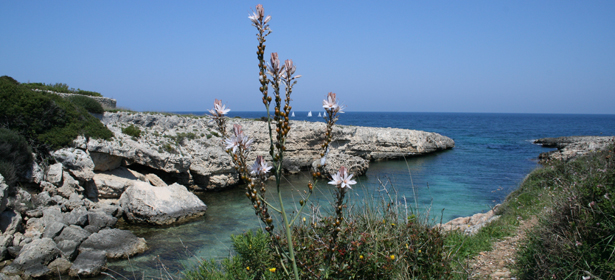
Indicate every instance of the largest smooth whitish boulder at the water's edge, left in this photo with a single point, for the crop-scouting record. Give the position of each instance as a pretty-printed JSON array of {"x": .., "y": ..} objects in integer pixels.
[{"x": 144, "y": 203}]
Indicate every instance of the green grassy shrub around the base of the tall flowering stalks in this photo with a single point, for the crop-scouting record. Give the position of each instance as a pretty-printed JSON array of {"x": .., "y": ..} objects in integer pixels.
[{"x": 376, "y": 242}]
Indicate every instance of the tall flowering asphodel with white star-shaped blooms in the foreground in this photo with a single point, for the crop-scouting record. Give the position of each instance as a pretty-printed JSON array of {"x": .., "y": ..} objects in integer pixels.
[{"x": 282, "y": 78}]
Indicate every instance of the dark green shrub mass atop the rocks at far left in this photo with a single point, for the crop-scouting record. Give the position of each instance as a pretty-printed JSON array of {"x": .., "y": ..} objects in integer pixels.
[{"x": 47, "y": 121}]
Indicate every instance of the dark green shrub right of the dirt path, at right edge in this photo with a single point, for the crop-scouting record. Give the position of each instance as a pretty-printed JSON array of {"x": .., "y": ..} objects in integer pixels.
[{"x": 576, "y": 238}]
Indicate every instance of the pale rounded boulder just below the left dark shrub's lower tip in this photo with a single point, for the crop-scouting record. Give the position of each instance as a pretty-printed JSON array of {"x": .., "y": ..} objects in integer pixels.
[{"x": 76, "y": 161}]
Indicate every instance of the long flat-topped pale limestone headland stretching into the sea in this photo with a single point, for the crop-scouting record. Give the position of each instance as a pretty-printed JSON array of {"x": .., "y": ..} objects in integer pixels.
[{"x": 190, "y": 151}]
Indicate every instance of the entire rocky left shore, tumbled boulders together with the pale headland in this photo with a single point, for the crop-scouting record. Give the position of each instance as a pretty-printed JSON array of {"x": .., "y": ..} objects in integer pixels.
[{"x": 64, "y": 223}]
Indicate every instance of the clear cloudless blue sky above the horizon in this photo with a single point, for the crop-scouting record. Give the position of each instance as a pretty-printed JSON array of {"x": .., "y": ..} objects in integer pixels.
[{"x": 415, "y": 56}]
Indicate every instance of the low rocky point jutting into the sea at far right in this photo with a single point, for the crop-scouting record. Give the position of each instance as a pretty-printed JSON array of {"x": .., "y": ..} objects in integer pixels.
[{"x": 569, "y": 147}]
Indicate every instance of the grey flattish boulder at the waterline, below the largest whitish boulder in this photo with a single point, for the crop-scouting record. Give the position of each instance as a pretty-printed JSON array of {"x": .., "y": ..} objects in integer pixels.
[{"x": 116, "y": 243}]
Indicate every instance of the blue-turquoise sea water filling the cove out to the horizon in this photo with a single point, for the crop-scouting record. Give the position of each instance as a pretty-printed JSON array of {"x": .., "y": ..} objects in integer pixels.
[{"x": 493, "y": 153}]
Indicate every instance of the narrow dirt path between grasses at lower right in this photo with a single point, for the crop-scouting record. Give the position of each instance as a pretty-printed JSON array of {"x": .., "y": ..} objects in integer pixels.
[{"x": 495, "y": 264}]
